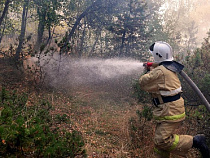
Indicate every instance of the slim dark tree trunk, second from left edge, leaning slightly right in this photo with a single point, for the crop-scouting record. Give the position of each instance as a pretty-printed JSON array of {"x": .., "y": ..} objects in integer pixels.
[{"x": 23, "y": 29}]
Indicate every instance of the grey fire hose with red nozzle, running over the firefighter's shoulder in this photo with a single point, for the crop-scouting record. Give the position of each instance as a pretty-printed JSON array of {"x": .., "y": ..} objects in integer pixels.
[{"x": 177, "y": 67}]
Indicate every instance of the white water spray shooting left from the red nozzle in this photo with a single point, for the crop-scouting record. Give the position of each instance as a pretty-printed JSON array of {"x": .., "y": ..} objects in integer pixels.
[{"x": 110, "y": 77}]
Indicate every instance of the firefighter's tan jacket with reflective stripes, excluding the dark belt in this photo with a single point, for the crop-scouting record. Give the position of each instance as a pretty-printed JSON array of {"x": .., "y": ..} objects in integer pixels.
[{"x": 163, "y": 82}]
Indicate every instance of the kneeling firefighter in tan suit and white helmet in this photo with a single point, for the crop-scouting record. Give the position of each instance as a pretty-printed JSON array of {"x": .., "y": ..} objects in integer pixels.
[{"x": 169, "y": 111}]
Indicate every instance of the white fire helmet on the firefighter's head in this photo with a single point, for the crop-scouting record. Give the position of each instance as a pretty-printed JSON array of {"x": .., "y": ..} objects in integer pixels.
[{"x": 161, "y": 51}]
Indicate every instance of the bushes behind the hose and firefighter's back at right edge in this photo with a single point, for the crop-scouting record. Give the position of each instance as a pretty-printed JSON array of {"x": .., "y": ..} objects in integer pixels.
[{"x": 197, "y": 67}]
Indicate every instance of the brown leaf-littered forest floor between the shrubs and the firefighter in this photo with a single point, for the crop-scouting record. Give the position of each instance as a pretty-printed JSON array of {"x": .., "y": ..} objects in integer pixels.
[{"x": 106, "y": 125}]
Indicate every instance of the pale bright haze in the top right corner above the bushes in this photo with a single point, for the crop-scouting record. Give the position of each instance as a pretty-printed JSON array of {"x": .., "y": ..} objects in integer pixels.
[{"x": 186, "y": 13}]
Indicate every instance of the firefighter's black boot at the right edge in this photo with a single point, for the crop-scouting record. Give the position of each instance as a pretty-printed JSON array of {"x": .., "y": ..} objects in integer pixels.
[{"x": 199, "y": 142}]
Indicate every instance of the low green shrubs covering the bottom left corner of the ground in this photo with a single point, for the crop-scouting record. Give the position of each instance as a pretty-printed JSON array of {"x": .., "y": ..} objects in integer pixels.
[{"x": 29, "y": 131}]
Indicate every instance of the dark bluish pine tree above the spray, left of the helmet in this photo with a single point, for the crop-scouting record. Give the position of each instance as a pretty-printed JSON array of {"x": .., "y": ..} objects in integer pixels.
[{"x": 130, "y": 28}]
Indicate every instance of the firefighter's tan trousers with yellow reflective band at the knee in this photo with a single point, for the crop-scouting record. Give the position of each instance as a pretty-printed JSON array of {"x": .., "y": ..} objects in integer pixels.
[{"x": 167, "y": 142}]
